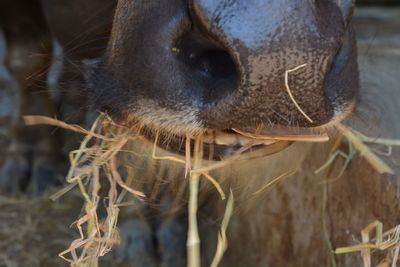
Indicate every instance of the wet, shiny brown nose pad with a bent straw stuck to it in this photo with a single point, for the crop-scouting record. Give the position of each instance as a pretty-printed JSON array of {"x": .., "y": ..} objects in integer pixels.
[{"x": 242, "y": 51}]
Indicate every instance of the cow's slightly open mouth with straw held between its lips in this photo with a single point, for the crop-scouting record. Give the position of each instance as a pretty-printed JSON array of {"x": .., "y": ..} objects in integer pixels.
[{"x": 220, "y": 145}]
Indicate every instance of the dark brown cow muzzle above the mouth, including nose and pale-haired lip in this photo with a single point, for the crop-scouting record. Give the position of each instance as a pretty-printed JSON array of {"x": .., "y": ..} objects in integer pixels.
[{"x": 188, "y": 66}]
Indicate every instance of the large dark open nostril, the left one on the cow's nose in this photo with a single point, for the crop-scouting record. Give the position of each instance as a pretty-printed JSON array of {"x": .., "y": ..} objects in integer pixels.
[{"x": 209, "y": 65}]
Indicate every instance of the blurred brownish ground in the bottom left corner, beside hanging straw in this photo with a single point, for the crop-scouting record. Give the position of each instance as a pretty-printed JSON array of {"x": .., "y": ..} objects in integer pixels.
[{"x": 34, "y": 231}]
